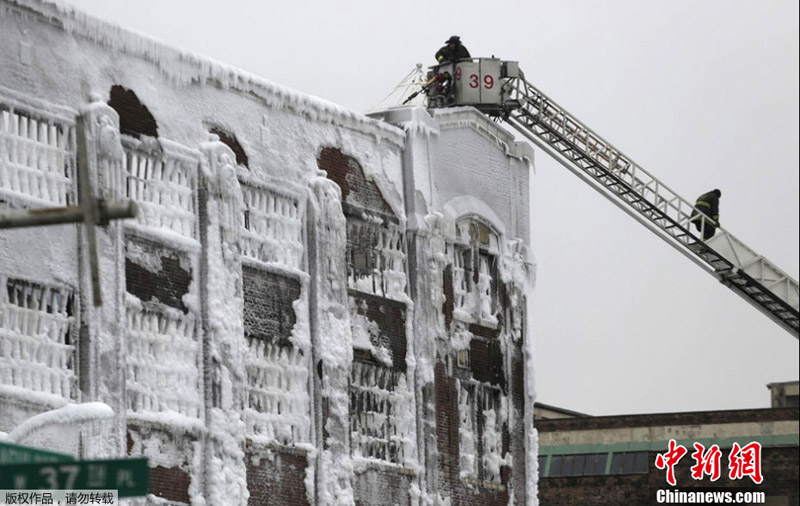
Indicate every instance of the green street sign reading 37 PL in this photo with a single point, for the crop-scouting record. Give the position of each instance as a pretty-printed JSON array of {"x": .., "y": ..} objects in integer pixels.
[{"x": 127, "y": 476}]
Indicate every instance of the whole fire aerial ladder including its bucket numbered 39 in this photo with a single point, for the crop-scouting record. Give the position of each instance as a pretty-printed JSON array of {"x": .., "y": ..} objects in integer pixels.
[{"x": 499, "y": 89}]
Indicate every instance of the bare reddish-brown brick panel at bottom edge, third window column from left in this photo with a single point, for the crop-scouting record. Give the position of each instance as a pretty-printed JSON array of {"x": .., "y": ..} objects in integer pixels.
[{"x": 277, "y": 478}]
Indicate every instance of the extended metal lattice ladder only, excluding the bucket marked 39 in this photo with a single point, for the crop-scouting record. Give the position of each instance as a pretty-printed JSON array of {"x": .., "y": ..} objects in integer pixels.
[{"x": 651, "y": 202}]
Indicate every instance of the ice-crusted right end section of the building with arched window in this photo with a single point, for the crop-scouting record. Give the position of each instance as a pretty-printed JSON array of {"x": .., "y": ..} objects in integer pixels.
[{"x": 470, "y": 216}]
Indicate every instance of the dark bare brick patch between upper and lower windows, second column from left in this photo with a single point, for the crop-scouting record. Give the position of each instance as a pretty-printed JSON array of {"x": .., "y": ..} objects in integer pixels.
[{"x": 168, "y": 285}]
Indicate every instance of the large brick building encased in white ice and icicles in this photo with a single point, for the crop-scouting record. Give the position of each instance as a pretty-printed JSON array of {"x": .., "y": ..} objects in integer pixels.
[{"x": 312, "y": 306}]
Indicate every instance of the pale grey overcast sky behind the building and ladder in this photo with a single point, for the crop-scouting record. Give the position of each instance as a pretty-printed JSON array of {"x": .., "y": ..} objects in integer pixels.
[{"x": 702, "y": 93}]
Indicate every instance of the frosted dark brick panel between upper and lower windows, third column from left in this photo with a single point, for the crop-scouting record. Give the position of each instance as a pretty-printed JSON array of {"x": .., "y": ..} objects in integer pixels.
[{"x": 268, "y": 305}]
